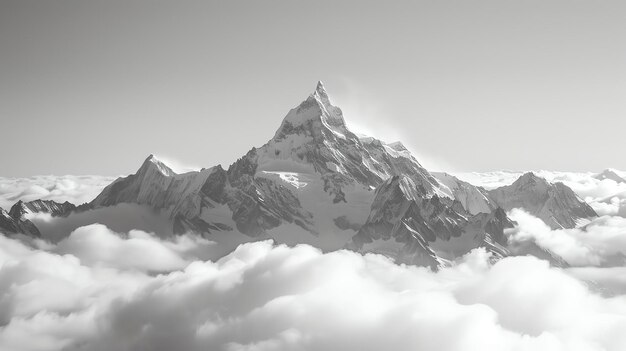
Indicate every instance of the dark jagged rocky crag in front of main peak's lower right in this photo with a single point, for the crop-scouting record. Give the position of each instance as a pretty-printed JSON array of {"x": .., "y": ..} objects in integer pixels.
[{"x": 427, "y": 230}]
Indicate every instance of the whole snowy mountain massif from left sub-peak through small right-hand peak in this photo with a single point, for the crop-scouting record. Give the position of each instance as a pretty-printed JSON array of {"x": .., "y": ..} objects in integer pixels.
[{"x": 314, "y": 182}]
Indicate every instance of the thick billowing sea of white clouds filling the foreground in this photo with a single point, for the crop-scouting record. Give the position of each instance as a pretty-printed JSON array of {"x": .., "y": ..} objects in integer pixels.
[{"x": 73, "y": 296}]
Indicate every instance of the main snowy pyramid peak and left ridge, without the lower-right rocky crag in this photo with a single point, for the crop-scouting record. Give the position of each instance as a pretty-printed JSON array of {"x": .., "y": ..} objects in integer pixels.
[{"x": 314, "y": 181}]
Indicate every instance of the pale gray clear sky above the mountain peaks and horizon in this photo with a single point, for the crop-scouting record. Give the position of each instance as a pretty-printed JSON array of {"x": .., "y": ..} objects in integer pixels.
[{"x": 93, "y": 87}]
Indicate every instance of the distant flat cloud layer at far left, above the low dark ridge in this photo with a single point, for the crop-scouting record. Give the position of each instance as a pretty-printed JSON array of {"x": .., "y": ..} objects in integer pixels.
[{"x": 75, "y": 189}]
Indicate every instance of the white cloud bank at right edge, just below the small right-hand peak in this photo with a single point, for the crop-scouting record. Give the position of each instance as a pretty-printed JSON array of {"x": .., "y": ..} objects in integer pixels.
[{"x": 600, "y": 242}]
